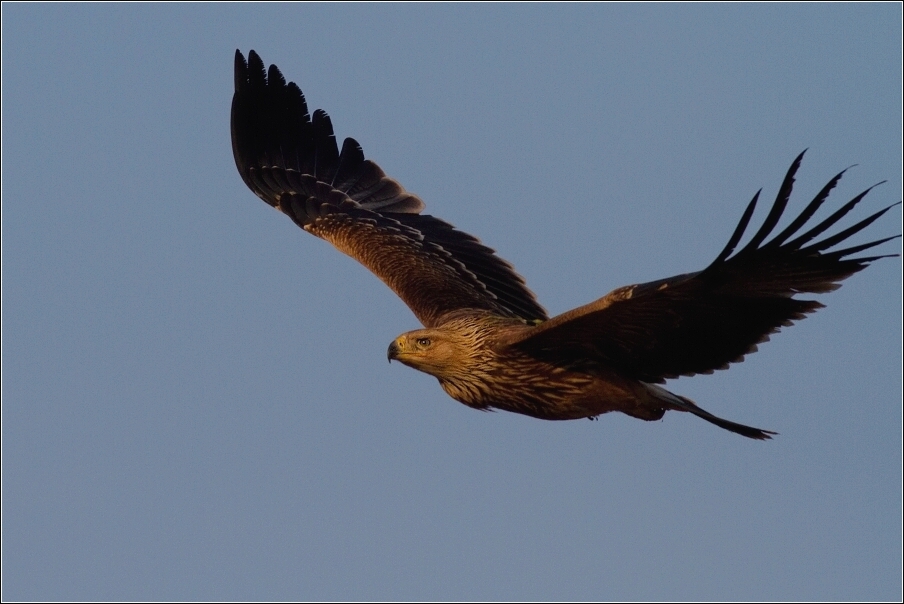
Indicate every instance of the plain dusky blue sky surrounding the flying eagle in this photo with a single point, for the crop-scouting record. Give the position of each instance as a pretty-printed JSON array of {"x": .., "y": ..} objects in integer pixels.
[{"x": 196, "y": 399}]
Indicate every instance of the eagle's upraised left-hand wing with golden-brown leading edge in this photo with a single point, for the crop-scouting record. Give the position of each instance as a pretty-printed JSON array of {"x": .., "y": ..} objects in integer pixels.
[{"x": 290, "y": 160}]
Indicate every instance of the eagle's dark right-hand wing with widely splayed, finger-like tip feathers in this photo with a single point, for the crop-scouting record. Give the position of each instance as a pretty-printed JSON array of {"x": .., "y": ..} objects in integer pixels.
[{"x": 699, "y": 322}]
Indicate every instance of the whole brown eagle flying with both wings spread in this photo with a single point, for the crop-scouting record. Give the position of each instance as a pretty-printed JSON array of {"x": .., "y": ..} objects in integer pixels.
[{"x": 485, "y": 337}]
